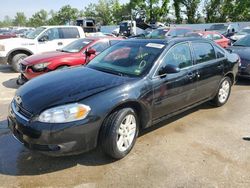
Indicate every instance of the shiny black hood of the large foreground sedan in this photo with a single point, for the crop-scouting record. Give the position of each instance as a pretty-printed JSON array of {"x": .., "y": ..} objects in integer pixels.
[{"x": 66, "y": 86}]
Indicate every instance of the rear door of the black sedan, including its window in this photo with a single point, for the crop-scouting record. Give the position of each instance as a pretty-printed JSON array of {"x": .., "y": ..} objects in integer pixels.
[{"x": 209, "y": 69}]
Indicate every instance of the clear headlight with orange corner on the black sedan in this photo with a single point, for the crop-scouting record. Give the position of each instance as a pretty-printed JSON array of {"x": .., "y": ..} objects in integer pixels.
[{"x": 65, "y": 113}]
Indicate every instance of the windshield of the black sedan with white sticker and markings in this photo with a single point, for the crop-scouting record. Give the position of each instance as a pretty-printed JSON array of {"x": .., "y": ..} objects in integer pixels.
[{"x": 129, "y": 58}]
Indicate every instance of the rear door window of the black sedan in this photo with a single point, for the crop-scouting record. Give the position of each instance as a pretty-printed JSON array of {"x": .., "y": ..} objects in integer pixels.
[{"x": 203, "y": 52}]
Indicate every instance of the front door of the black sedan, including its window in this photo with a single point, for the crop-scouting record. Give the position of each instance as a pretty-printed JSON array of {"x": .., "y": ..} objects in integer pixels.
[{"x": 174, "y": 91}]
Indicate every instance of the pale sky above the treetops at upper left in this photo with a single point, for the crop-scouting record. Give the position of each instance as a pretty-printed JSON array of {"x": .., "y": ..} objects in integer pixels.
[{"x": 29, "y": 7}]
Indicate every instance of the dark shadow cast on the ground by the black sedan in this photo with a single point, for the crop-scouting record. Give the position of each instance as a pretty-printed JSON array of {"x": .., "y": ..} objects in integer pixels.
[{"x": 16, "y": 160}]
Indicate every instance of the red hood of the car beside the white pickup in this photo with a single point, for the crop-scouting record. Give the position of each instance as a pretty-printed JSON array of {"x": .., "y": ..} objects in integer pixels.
[{"x": 45, "y": 57}]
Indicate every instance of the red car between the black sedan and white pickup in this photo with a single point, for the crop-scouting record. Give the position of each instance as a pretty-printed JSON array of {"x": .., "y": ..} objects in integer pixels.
[{"x": 78, "y": 52}]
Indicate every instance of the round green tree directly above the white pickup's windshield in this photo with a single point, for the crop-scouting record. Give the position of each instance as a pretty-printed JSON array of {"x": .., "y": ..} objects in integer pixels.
[{"x": 38, "y": 19}]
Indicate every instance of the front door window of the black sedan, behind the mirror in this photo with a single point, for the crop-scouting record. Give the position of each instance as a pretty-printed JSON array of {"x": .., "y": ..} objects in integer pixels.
[{"x": 179, "y": 56}]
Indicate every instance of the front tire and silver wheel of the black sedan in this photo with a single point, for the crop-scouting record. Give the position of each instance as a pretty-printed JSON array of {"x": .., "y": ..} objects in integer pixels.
[{"x": 115, "y": 139}]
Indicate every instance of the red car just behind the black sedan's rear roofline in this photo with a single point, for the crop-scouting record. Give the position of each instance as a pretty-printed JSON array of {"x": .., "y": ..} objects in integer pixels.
[{"x": 212, "y": 35}]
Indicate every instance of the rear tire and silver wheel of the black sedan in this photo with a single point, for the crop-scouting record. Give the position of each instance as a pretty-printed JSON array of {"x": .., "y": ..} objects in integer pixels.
[{"x": 223, "y": 92}]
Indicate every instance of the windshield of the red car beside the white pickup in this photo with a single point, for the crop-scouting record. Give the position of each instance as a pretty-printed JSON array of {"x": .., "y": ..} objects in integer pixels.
[{"x": 77, "y": 45}]
